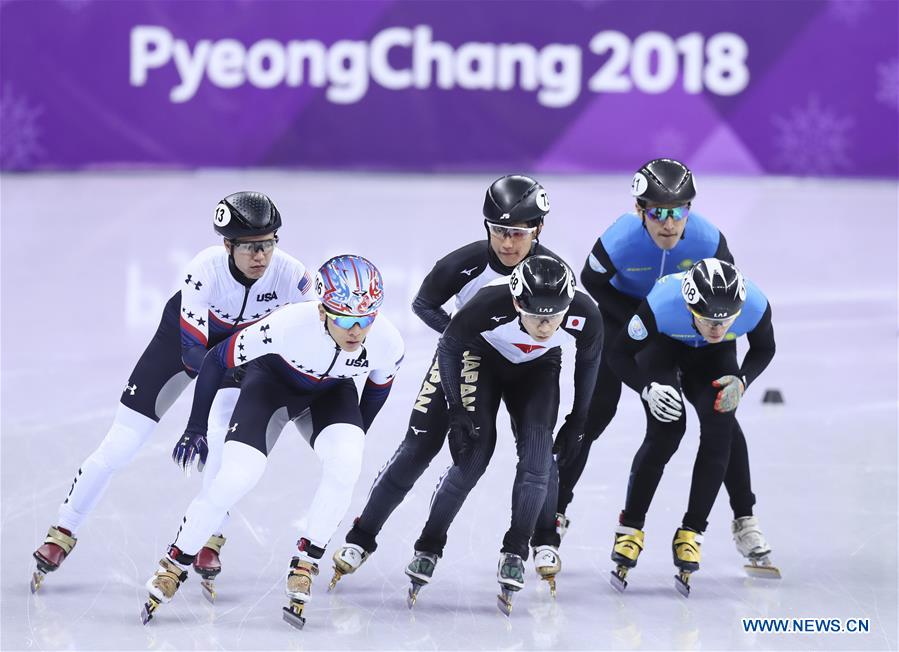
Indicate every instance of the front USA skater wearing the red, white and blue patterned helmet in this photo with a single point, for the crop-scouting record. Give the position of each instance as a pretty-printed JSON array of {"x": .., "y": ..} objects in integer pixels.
[{"x": 301, "y": 361}]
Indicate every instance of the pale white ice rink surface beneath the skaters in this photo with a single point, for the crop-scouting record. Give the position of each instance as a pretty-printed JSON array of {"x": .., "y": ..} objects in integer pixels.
[{"x": 88, "y": 260}]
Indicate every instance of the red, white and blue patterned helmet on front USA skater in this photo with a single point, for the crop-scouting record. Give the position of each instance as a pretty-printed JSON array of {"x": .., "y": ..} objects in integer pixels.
[{"x": 350, "y": 285}]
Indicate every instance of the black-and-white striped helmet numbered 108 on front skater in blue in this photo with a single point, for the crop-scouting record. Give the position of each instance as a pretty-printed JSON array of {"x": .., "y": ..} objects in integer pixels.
[{"x": 714, "y": 289}]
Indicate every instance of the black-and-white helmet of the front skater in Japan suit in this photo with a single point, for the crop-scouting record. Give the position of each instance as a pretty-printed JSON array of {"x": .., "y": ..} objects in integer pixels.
[{"x": 543, "y": 285}]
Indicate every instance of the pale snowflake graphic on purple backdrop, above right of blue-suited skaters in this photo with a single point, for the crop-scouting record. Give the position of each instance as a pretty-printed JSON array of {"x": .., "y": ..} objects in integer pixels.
[{"x": 813, "y": 139}]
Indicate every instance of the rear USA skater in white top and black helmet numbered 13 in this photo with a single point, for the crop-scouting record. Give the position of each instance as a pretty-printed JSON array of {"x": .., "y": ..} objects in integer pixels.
[{"x": 225, "y": 289}]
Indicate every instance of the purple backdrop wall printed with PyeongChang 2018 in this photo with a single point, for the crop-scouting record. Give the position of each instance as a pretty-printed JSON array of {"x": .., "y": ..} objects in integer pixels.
[{"x": 742, "y": 87}]
